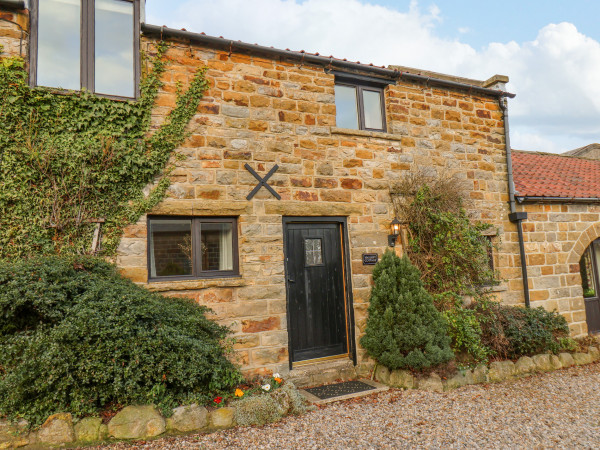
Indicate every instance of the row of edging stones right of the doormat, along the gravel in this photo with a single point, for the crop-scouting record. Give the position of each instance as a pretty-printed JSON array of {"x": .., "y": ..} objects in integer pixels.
[{"x": 496, "y": 372}]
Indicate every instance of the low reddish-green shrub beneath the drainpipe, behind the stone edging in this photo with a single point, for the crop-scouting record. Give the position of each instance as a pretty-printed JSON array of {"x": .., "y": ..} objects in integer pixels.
[{"x": 511, "y": 332}]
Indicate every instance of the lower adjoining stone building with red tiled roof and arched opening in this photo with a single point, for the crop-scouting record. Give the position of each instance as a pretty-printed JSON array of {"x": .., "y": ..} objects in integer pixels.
[{"x": 561, "y": 196}]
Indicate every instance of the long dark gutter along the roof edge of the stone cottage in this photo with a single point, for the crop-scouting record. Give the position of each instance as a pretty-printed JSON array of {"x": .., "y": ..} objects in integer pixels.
[{"x": 304, "y": 57}]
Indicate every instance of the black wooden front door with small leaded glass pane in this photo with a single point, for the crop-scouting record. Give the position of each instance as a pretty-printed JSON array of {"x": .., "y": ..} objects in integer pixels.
[{"x": 316, "y": 291}]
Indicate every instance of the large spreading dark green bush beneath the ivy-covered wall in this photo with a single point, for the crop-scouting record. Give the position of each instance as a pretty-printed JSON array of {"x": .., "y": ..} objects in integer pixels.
[{"x": 76, "y": 336}]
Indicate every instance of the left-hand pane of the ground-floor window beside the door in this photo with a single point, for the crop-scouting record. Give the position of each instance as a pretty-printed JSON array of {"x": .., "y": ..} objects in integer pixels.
[{"x": 170, "y": 248}]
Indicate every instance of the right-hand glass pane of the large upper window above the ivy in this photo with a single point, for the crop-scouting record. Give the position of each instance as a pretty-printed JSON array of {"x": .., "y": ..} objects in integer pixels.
[{"x": 114, "y": 40}]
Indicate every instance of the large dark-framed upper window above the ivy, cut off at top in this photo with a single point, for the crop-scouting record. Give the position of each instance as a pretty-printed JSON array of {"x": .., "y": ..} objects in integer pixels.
[{"x": 86, "y": 44}]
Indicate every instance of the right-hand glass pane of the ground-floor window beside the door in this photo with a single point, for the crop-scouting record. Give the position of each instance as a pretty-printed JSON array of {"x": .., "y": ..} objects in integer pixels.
[{"x": 217, "y": 246}]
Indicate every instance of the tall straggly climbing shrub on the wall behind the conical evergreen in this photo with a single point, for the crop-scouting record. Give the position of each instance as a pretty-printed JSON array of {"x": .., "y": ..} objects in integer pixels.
[{"x": 445, "y": 245}]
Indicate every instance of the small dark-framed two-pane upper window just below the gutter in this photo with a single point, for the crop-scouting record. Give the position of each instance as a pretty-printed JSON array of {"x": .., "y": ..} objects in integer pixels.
[{"x": 359, "y": 106}]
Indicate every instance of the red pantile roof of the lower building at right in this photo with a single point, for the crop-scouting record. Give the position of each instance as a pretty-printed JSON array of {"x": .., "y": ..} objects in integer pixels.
[{"x": 549, "y": 175}]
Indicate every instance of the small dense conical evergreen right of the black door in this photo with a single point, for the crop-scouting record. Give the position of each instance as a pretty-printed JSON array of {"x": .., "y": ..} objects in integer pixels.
[{"x": 404, "y": 329}]
